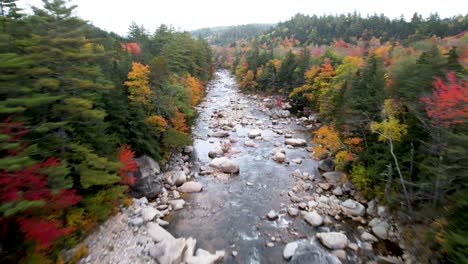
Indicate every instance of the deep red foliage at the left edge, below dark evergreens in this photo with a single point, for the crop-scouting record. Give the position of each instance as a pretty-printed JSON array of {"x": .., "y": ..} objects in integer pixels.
[{"x": 25, "y": 197}]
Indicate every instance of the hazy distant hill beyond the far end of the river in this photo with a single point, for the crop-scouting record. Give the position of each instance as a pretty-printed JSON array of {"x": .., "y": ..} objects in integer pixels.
[{"x": 230, "y": 34}]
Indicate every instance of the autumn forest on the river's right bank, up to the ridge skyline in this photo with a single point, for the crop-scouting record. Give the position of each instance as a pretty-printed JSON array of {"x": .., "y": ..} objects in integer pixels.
[{"x": 392, "y": 99}]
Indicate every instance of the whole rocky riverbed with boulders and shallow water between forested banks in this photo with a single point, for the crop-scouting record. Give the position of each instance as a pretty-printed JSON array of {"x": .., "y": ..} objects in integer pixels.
[{"x": 248, "y": 191}]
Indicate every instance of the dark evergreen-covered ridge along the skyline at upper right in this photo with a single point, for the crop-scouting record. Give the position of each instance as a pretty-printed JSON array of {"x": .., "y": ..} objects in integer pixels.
[{"x": 352, "y": 27}]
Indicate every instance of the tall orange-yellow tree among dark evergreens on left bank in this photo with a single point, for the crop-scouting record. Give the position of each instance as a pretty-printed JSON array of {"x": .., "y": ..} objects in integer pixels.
[{"x": 138, "y": 84}]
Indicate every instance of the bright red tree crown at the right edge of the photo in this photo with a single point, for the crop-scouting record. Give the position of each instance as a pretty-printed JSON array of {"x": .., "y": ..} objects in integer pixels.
[{"x": 449, "y": 104}]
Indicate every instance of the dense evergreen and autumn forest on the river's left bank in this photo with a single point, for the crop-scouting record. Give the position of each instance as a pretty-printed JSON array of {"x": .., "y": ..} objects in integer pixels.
[{"x": 77, "y": 104}]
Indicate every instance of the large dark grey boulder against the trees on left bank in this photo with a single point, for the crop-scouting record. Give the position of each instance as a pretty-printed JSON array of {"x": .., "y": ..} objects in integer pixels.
[{"x": 148, "y": 182}]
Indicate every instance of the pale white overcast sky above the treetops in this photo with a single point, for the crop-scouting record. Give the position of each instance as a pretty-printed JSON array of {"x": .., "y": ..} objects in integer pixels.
[{"x": 116, "y": 15}]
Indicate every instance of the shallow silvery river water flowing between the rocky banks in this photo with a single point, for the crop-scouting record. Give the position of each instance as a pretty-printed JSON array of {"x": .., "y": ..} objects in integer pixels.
[{"x": 229, "y": 214}]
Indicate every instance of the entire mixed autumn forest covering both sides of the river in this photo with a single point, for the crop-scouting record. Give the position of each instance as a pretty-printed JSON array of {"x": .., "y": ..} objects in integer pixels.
[{"x": 78, "y": 104}]
